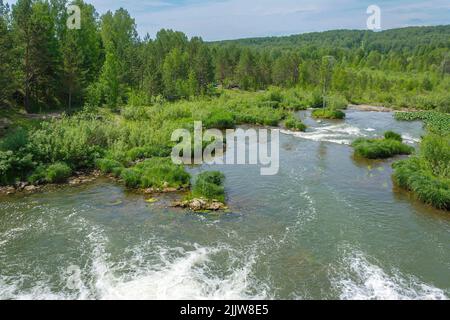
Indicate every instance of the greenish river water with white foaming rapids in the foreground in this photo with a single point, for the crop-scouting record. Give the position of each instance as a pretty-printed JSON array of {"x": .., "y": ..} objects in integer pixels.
[{"x": 328, "y": 226}]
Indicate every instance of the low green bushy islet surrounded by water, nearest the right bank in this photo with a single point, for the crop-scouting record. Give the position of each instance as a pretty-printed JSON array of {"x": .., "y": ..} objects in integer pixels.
[{"x": 380, "y": 148}]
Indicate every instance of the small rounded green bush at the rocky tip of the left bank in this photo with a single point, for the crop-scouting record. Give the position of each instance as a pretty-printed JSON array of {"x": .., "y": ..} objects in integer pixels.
[{"x": 209, "y": 185}]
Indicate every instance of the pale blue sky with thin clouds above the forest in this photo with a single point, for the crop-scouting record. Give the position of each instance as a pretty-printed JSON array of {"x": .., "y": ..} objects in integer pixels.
[{"x": 233, "y": 19}]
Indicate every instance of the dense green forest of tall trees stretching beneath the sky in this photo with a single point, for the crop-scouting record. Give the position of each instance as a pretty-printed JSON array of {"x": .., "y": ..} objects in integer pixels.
[{"x": 47, "y": 66}]
